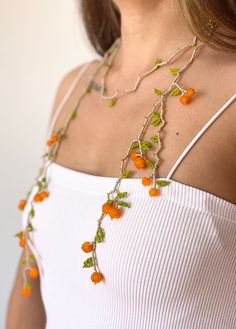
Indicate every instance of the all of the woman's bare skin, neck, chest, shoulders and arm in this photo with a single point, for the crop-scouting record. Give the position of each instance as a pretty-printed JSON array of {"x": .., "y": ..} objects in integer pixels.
[{"x": 99, "y": 137}]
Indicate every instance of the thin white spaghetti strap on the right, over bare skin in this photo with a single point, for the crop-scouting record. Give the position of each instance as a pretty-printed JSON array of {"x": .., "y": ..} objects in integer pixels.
[{"x": 200, "y": 133}]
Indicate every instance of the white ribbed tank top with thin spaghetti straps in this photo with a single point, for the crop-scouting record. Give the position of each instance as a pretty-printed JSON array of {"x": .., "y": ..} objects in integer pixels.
[{"x": 170, "y": 263}]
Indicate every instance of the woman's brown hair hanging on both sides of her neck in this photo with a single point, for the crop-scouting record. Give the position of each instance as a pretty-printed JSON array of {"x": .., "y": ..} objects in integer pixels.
[{"x": 214, "y": 18}]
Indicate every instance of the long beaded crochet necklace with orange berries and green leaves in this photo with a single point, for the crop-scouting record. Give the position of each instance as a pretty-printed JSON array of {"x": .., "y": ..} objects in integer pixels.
[{"x": 137, "y": 151}]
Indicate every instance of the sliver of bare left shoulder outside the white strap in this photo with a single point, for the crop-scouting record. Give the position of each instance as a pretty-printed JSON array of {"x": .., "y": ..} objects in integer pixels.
[{"x": 65, "y": 84}]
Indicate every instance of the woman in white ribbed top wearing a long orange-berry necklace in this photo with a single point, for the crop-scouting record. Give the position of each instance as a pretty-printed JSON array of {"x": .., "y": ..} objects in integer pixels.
[{"x": 164, "y": 255}]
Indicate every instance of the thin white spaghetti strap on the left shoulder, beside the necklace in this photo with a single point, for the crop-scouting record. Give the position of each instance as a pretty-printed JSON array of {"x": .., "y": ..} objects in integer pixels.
[{"x": 66, "y": 97}]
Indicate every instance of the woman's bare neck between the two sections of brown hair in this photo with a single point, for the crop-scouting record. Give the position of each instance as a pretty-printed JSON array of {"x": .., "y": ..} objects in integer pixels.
[{"x": 149, "y": 30}]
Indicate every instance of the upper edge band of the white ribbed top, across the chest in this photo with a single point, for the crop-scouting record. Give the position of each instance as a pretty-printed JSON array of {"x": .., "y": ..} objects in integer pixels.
[{"x": 177, "y": 192}]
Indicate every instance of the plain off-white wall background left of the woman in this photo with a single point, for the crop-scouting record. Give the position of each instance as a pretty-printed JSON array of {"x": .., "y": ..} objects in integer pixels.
[{"x": 40, "y": 42}]
